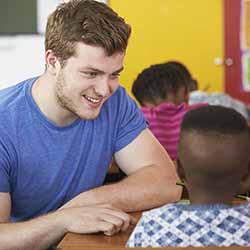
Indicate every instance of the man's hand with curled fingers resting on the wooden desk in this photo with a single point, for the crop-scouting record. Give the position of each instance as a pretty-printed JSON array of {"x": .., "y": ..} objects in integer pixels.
[{"x": 93, "y": 219}]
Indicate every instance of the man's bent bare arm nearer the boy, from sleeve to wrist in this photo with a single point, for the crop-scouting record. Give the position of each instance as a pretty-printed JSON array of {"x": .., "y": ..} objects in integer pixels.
[{"x": 151, "y": 181}]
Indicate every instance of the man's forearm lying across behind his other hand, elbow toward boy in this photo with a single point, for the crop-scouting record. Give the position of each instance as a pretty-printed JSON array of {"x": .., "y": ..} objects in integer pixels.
[{"x": 147, "y": 188}]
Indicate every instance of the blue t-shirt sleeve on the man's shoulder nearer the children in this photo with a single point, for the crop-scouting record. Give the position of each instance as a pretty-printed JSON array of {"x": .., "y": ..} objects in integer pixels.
[{"x": 131, "y": 121}]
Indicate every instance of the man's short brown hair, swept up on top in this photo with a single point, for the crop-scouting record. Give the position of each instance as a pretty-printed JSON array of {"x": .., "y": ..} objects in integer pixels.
[{"x": 87, "y": 21}]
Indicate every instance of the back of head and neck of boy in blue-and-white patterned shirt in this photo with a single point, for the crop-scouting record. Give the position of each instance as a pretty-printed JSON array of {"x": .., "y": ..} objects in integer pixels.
[{"x": 214, "y": 152}]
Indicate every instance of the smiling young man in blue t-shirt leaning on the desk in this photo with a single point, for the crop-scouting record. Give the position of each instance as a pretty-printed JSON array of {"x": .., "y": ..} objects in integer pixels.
[{"x": 60, "y": 131}]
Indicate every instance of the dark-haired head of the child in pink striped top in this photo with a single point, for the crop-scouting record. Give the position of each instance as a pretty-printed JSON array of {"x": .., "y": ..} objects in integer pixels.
[{"x": 161, "y": 83}]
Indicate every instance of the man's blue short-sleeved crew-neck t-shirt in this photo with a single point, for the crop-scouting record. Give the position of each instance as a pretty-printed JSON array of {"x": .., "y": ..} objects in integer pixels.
[{"x": 43, "y": 165}]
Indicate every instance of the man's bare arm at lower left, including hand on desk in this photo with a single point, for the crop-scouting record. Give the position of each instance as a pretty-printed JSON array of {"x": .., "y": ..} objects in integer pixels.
[{"x": 42, "y": 232}]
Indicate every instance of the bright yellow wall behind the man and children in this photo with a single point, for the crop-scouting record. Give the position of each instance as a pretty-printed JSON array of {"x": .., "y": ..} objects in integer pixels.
[{"x": 190, "y": 31}]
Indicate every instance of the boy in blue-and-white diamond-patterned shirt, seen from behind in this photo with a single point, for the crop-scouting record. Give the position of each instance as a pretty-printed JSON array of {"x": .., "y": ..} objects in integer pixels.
[{"x": 213, "y": 162}]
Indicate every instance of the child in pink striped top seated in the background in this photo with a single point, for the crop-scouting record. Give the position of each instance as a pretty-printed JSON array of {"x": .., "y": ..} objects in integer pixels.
[{"x": 162, "y": 91}]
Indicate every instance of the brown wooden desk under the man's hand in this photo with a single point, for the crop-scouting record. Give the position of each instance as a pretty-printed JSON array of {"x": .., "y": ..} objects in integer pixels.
[{"x": 118, "y": 241}]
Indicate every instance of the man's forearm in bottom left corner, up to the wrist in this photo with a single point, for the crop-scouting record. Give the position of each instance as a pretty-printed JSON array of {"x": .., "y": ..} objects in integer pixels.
[{"x": 36, "y": 234}]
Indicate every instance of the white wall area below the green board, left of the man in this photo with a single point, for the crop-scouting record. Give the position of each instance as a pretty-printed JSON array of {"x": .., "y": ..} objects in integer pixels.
[{"x": 21, "y": 57}]
